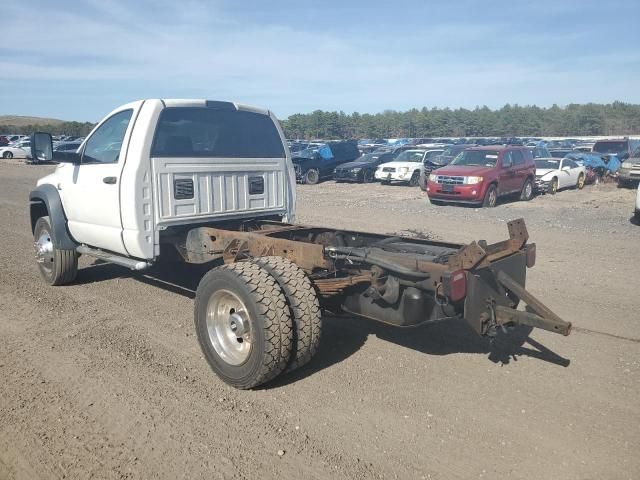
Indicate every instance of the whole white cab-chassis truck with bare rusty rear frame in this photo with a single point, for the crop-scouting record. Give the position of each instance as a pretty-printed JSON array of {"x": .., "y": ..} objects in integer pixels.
[{"x": 213, "y": 181}]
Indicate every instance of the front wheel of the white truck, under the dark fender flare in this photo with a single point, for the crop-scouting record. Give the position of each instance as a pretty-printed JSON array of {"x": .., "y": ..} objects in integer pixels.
[{"x": 56, "y": 266}]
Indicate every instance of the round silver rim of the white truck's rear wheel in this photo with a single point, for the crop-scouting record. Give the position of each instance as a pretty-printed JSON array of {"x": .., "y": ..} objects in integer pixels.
[{"x": 229, "y": 327}]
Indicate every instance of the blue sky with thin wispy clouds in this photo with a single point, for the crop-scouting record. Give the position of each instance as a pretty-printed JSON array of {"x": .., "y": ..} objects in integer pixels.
[{"x": 78, "y": 60}]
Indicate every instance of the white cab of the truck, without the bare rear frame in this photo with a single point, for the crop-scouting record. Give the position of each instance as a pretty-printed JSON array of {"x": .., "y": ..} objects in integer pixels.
[{"x": 153, "y": 164}]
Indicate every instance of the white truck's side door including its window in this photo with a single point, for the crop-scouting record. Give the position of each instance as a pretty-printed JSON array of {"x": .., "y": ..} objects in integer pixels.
[{"x": 91, "y": 189}]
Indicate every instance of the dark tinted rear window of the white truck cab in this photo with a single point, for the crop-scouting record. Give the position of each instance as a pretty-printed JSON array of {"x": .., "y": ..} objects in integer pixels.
[{"x": 211, "y": 132}]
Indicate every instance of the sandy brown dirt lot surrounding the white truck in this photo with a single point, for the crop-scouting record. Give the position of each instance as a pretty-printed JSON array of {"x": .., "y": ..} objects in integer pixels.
[{"x": 104, "y": 378}]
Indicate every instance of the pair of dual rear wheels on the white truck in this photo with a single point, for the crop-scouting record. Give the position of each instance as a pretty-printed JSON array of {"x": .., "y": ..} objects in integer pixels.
[{"x": 257, "y": 319}]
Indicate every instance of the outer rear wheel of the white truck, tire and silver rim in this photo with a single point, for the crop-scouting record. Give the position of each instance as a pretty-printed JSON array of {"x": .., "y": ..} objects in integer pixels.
[{"x": 243, "y": 324}]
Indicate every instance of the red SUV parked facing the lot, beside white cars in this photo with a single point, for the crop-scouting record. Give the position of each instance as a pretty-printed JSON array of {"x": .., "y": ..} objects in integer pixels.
[{"x": 479, "y": 175}]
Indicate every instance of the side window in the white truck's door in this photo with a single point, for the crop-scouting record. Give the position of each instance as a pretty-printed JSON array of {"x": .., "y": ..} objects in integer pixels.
[{"x": 105, "y": 143}]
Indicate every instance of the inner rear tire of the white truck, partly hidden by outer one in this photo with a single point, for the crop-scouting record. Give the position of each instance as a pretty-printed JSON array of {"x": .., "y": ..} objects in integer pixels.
[{"x": 303, "y": 305}]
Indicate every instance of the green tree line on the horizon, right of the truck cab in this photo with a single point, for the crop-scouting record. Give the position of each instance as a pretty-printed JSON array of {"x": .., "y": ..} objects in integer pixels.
[{"x": 589, "y": 119}]
